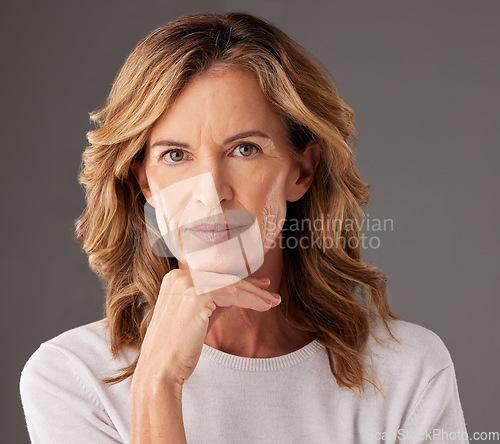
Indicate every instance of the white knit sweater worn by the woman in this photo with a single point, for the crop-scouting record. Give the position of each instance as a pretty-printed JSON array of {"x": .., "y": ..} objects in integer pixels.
[{"x": 292, "y": 398}]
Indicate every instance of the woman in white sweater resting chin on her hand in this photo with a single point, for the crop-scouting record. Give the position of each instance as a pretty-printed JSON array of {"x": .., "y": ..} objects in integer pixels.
[{"x": 231, "y": 316}]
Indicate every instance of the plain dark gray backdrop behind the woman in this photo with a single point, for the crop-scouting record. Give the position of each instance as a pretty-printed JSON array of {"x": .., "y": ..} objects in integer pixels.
[{"x": 422, "y": 77}]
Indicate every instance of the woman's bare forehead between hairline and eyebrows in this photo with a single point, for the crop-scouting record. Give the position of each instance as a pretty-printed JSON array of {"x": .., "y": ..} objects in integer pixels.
[{"x": 219, "y": 103}]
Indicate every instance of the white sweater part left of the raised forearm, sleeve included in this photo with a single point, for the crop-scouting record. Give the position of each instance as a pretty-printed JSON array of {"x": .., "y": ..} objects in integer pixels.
[{"x": 61, "y": 388}]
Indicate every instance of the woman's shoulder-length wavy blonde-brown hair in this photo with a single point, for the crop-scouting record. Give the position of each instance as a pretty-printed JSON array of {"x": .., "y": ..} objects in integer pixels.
[{"x": 327, "y": 291}]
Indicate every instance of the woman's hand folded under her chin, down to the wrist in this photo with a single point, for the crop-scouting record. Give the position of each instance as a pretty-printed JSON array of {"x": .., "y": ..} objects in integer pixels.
[{"x": 182, "y": 318}]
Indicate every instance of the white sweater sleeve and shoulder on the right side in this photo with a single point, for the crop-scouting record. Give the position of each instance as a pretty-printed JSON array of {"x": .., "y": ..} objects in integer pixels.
[{"x": 418, "y": 376}]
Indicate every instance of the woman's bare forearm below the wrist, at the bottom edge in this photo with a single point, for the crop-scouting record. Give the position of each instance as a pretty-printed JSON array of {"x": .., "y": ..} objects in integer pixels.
[{"x": 156, "y": 414}]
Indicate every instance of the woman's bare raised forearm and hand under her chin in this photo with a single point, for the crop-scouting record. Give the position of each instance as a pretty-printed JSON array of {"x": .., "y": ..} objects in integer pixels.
[{"x": 172, "y": 346}]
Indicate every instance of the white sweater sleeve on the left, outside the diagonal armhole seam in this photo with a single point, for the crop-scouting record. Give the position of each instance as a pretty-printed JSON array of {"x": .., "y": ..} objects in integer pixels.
[{"x": 59, "y": 404}]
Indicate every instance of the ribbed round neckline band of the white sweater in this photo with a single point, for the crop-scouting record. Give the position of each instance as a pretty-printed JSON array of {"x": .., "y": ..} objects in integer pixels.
[{"x": 261, "y": 364}]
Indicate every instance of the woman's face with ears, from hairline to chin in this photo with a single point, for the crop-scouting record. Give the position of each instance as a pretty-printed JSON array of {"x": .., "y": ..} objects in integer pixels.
[{"x": 219, "y": 173}]
